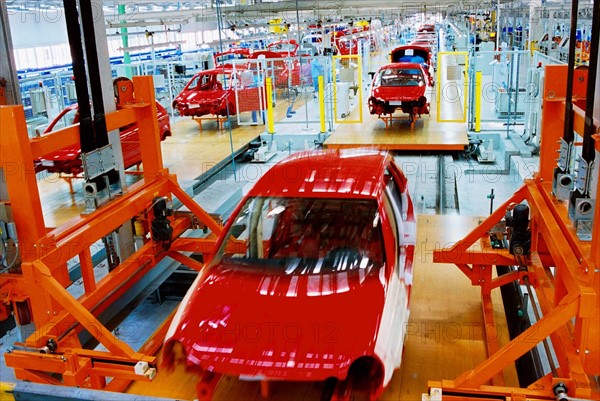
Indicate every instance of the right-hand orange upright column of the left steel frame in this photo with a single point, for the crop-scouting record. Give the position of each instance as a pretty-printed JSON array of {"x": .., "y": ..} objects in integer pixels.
[{"x": 148, "y": 125}]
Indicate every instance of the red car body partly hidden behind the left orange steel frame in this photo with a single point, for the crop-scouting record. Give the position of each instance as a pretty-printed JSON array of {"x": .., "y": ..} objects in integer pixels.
[{"x": 68, "y": 160}]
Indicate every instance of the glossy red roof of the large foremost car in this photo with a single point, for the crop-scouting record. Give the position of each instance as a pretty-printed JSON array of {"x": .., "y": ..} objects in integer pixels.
[{"x": 325, "y": 174}]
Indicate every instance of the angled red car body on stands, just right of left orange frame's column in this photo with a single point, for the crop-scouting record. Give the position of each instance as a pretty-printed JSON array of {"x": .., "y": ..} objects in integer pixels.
[{"x": 214, "y": 92}]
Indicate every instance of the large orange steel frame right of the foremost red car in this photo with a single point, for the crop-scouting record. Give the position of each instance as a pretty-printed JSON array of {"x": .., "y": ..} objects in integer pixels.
[{"x": 564, "y": 271}]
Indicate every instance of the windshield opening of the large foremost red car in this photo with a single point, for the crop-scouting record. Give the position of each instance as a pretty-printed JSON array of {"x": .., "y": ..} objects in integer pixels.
[{"x": 305, "y": 236}]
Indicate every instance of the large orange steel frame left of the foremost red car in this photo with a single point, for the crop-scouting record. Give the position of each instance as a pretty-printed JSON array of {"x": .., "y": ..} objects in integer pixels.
[{"x": 58, "y": 315}]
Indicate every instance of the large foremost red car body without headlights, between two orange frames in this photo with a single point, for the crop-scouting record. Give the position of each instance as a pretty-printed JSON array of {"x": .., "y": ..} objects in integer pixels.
[{"x": 318, "y": 286}]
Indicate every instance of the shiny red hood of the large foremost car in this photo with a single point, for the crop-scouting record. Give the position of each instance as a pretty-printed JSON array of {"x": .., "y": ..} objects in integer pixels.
[{"x": 250, "y": 323}]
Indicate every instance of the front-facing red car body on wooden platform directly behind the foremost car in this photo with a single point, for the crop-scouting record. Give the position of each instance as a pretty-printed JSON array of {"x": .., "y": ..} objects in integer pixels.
[{"x": 399, "y": 85}]
